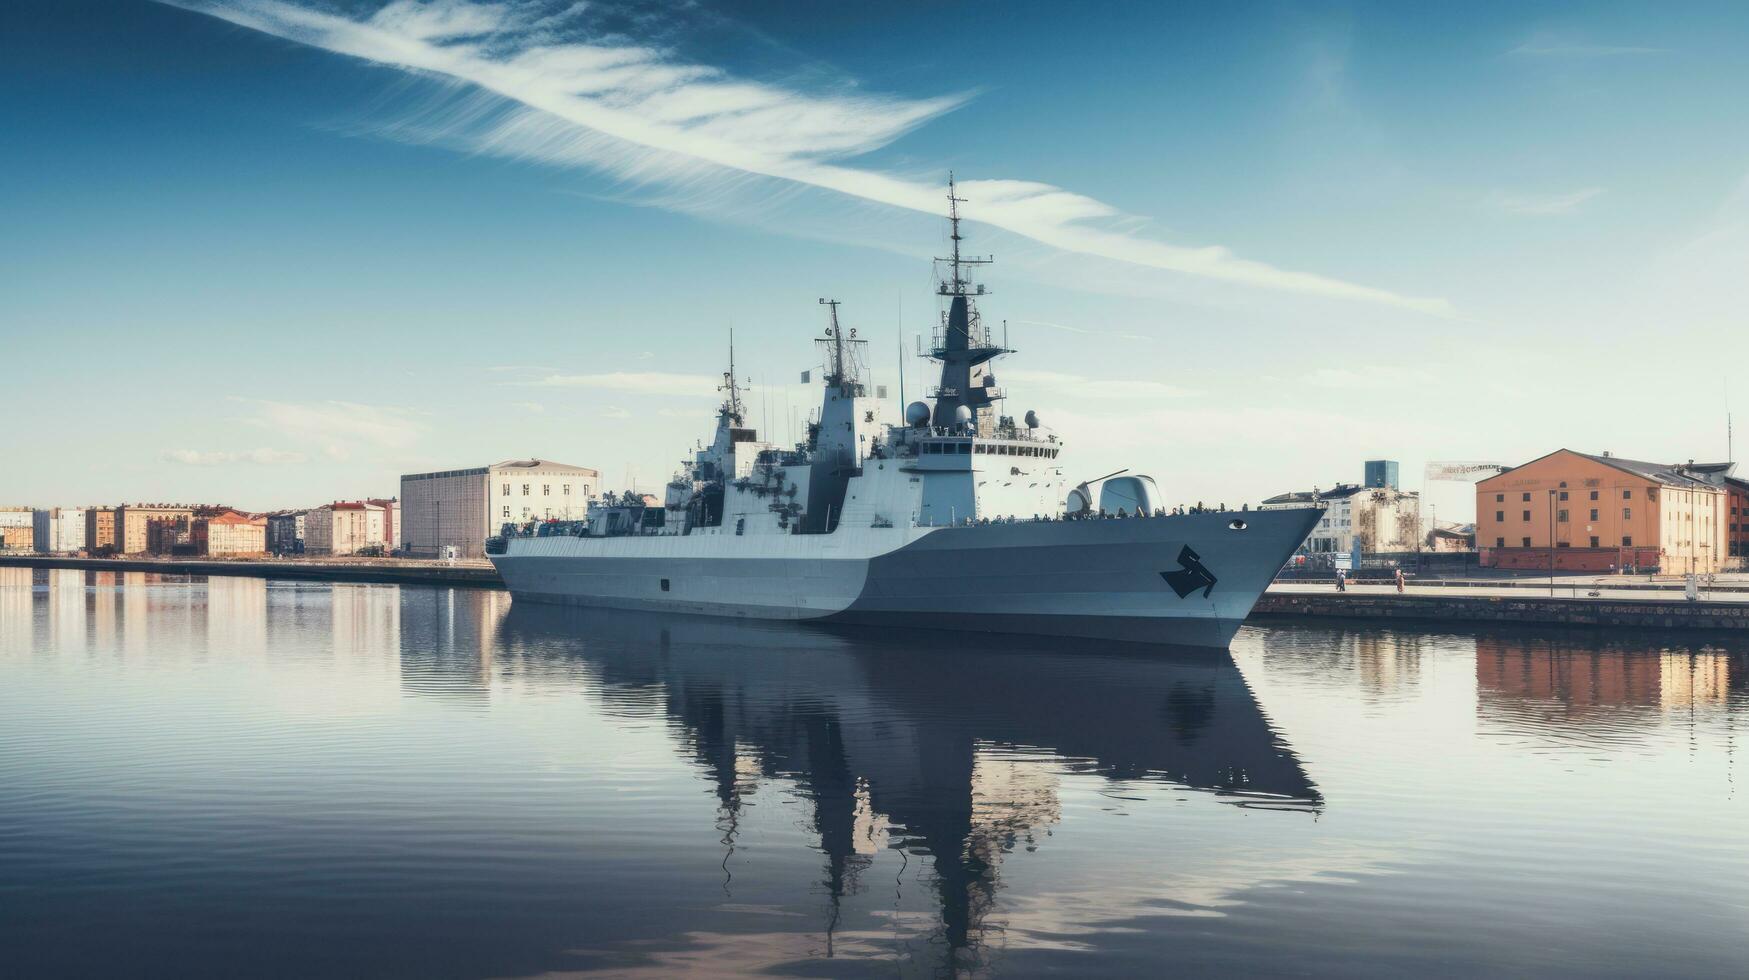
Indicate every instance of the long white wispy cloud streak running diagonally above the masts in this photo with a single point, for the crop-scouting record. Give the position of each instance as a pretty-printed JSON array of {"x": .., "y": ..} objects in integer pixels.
[{"x": 645, "y": 116}]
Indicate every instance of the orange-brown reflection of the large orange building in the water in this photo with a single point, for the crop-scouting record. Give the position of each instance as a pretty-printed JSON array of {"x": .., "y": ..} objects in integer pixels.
[{"x": 1582, "y": 675}]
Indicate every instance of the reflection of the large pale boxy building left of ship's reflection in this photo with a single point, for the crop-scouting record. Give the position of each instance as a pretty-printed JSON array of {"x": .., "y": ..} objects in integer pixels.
[{"x": 449, "y": 641}]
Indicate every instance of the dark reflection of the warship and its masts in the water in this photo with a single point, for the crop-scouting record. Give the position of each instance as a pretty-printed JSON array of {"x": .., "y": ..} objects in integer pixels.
[{"x": 914, "y": 743}]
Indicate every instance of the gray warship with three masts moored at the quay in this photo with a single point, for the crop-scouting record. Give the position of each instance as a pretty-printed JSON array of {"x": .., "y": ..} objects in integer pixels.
[{"x": 951, "y": 517}]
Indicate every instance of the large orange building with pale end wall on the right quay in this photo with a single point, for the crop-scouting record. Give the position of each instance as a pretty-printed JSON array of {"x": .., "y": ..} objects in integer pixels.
[{"x": 1584, "y": 514}]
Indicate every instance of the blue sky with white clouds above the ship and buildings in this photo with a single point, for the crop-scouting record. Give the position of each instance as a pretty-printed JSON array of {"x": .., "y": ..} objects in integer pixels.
[{"x": 275, "y": 253}]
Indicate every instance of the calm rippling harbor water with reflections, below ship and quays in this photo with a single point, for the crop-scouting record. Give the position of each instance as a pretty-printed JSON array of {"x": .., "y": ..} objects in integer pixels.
[{"x": 256, "y": 778}]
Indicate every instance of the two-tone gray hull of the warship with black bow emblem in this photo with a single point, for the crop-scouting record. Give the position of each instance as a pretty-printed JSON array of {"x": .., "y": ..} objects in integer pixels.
[{"x": 1180, "y": 580}]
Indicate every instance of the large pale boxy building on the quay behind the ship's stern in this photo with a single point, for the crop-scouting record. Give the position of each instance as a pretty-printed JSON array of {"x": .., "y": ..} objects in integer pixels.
[{"x": 461, "y": 508}]
